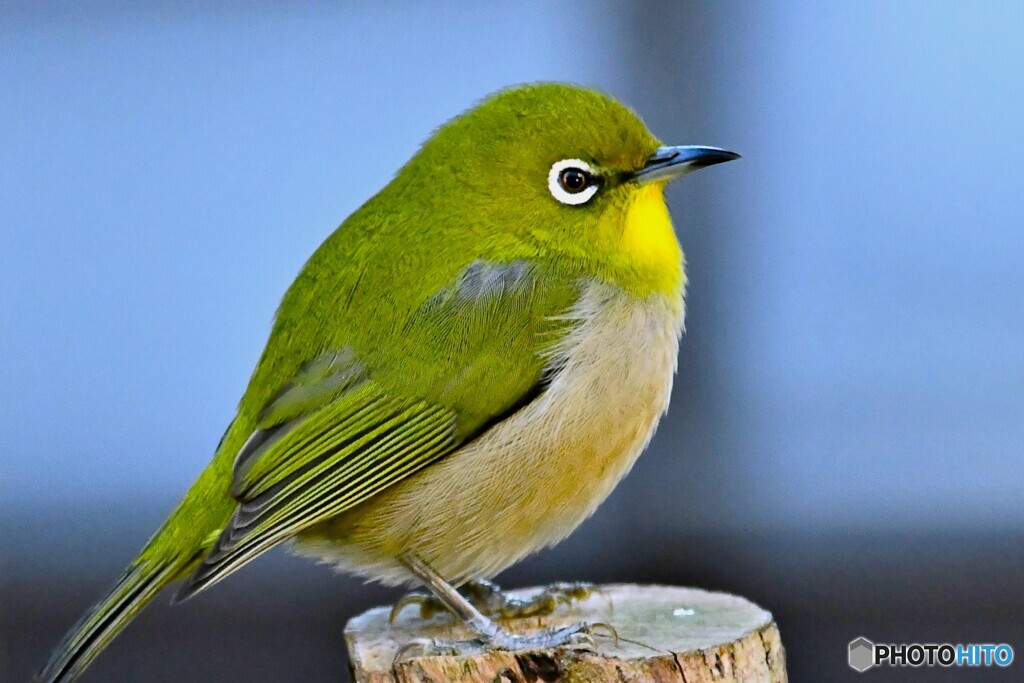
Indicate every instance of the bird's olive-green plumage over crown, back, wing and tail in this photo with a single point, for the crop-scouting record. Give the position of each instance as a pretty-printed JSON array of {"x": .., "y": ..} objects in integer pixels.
[{"x": 434, "y": 313}]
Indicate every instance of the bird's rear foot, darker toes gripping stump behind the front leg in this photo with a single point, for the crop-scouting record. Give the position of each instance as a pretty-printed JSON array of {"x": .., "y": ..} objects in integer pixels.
[{"x": 493, "y": 602}]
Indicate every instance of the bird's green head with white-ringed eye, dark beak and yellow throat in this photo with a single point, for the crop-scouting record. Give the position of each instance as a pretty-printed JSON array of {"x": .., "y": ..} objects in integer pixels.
[{"x": 563, "y": 172}]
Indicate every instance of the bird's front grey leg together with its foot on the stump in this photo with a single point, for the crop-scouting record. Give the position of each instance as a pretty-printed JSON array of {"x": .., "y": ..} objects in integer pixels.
[{"x": 489, "y": 634}]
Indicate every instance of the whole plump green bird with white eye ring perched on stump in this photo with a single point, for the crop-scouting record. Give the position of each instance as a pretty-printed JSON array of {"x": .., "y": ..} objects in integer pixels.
[{"x": 459, "y": 375}]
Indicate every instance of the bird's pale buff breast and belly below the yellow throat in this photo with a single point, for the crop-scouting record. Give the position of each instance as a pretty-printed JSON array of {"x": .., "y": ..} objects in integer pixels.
[{"x": 532, "y": 480}]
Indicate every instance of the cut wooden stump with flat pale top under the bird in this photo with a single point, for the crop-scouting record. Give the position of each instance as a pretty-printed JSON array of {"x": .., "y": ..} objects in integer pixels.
[{"x": 682, "y": 635}]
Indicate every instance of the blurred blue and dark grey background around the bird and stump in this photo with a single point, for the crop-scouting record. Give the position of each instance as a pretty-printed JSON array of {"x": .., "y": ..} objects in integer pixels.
[{"x": 846, "y": 440}]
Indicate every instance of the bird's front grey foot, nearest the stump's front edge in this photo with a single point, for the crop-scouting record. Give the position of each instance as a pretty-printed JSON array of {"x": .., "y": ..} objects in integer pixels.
[{"x": 576, "y": 637}]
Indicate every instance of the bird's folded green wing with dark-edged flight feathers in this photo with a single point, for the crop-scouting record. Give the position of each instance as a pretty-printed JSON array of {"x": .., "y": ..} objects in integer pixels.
[{"x": 354, "y": 421}]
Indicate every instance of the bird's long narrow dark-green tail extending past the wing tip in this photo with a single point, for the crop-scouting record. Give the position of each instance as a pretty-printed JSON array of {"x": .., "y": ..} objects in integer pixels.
[{"x": 98, "y": 627}]
